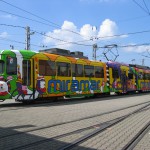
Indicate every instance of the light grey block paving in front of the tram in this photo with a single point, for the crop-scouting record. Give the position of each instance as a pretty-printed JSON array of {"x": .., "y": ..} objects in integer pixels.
[{"x": 22, "y": 125}]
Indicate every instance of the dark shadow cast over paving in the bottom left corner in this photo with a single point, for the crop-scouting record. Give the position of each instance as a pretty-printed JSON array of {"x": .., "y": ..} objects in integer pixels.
[{"x": 11, "y": 139}]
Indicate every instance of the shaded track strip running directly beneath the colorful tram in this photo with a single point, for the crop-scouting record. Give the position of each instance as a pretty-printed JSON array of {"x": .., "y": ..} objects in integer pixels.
[{"x": 17, "y": 106}]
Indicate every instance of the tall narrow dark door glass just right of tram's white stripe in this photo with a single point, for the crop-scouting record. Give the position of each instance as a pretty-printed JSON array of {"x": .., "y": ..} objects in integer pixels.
[{"x": 26, "y": 72}]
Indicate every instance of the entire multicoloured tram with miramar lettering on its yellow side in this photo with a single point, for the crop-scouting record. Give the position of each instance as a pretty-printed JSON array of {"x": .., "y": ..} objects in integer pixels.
[{"x": 28, "y": 75}]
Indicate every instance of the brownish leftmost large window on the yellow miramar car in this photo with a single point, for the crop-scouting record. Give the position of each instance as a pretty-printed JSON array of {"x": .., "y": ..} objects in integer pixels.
[{"x": 47, "y": 68}]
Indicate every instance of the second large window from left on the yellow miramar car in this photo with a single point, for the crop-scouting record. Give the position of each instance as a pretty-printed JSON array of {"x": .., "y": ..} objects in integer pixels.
[{"x": 63, "y": 69}]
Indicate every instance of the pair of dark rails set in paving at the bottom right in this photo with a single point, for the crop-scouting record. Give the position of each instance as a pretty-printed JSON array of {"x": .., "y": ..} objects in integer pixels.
[{"x": 129, "y": 145}]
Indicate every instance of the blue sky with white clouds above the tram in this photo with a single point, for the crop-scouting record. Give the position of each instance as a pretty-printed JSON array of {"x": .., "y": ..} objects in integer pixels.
[{"x": 119, "y": 28}]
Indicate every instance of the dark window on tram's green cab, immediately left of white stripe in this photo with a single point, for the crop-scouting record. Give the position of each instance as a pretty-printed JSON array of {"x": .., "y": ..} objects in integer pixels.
[{"x": 11, "y": 65}]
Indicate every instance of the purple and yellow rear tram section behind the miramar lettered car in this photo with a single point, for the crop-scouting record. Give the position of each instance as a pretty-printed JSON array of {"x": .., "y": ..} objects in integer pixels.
[{"x": 126, "y": 78}]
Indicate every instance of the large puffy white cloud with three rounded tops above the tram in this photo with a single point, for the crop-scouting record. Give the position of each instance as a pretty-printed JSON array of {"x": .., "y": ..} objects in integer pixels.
[{"x": 70, "y": 33}]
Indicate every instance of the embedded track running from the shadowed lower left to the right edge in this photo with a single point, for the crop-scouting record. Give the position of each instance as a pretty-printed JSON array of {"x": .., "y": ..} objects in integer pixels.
[{"x": 76, "y": 136}]
